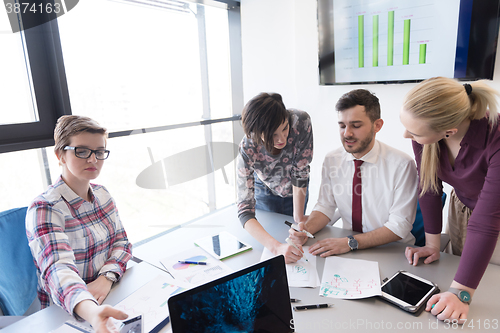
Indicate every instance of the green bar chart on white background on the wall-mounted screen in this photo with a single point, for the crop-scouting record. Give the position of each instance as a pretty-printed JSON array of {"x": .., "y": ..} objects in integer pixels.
[{"x": 382, "y": 40}]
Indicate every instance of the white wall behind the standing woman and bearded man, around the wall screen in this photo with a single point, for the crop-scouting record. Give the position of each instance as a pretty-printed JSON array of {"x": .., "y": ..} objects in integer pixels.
[{"x": 280, "y": 54}]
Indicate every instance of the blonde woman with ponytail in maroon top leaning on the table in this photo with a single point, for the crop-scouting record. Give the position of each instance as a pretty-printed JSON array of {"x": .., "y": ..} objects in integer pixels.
[{"x": 456, "y": 139}]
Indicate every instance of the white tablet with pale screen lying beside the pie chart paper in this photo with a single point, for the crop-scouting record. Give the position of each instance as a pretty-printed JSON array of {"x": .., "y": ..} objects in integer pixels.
[{"x": 222, "y": 245}]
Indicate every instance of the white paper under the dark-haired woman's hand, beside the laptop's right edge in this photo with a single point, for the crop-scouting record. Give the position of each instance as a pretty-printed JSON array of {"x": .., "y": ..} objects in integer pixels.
[{"x": 301, "y": 273}]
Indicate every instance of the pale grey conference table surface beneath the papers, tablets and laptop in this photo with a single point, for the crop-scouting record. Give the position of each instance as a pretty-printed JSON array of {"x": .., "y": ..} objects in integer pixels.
[{"x": 361, "y": 315}]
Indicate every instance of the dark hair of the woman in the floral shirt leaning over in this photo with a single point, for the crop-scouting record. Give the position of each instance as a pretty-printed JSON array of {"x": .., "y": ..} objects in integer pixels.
[{"x": 262, "y": 116}]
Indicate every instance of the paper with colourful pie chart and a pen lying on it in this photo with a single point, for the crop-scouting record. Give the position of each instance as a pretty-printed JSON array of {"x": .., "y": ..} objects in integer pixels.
[{"x": 195, "y": 274}]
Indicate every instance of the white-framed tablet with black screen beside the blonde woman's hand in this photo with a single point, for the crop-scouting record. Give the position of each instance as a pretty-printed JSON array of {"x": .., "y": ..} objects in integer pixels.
[{"x": 408, "y": 291}]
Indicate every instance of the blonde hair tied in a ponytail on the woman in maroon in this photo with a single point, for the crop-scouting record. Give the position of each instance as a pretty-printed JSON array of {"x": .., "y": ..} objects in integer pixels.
[{"x": 444, "y": 104}]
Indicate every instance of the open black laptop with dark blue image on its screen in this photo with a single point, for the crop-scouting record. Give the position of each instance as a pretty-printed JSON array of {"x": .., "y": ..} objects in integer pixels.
[{"x": 254, "y": 299}]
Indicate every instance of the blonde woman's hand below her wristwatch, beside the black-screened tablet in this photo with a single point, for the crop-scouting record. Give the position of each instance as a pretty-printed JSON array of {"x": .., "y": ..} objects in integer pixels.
[{"x": 448, "y": 306}]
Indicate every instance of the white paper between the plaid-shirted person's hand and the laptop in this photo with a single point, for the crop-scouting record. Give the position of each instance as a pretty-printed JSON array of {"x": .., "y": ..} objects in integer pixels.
[{"x": 151, "y": 300}]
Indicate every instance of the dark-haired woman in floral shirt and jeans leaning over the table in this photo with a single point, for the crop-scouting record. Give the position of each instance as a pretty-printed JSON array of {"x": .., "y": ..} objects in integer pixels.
[{"x": 273, "y": 167}]
